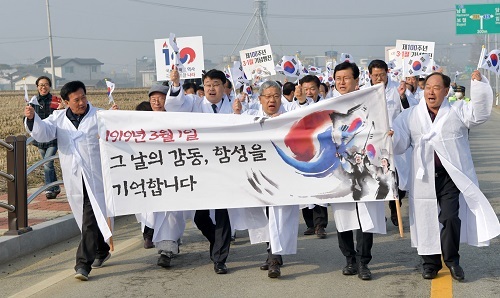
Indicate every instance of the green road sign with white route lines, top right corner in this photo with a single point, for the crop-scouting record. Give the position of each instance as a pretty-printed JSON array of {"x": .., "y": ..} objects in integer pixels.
[{"x": 478, "y": 19}]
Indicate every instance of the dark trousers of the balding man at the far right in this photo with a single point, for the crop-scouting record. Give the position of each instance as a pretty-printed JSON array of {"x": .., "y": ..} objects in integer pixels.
[{"x": 447, "y": 195}]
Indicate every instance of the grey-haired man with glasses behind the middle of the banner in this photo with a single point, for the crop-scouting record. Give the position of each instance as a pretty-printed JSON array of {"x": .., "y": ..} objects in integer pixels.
[{"x": 280, "y": 232}]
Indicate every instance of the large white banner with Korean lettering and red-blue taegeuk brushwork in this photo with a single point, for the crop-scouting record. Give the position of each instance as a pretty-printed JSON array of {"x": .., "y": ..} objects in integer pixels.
[{"x": 336, "y": 150}]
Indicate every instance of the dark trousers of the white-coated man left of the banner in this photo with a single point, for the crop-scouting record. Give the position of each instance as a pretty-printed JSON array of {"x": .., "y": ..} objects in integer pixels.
[{"x": 92, "y": 245}]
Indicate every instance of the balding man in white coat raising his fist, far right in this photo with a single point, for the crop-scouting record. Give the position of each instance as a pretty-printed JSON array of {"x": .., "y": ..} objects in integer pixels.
[{"x": 446, "y": 205}]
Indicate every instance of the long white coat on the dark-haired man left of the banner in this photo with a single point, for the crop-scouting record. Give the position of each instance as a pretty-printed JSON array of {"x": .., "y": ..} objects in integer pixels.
[{"x": 80, "y": 158}]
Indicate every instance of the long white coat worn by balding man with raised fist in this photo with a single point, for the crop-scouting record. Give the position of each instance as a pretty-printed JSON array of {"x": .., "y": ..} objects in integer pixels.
[{"x": 448, "y": 137}]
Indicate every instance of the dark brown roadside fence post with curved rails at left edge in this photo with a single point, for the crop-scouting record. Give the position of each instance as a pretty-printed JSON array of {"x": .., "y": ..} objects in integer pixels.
[{"x": 17, "y": 183}]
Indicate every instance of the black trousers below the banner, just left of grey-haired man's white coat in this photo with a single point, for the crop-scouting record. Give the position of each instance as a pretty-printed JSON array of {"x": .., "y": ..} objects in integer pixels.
[{"x": 218, "y": 234}]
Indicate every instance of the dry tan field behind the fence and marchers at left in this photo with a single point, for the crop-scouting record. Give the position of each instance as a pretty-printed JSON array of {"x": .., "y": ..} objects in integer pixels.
[{"x": 11, "y": 122}]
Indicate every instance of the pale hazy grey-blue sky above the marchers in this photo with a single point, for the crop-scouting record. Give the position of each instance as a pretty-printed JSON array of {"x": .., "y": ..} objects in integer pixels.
[{"x": 116, "y": 32}]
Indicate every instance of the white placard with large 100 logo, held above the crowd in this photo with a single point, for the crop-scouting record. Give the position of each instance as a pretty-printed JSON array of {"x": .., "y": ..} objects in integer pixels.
[{"x": 190, "y": 55}]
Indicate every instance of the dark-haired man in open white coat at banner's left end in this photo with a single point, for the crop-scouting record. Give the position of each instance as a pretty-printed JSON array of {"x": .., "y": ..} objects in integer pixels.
[{"x": 76, "y": 131}]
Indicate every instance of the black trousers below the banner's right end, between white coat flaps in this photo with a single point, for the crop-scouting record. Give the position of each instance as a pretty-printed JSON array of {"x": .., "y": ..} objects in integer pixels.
[{"x": 364, "y": 243}]
